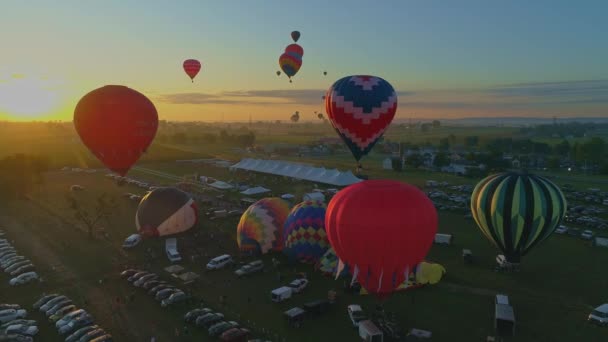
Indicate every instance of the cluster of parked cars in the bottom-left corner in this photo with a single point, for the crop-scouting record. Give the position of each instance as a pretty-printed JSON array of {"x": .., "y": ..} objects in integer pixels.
[{"x": 14, "y": 326}]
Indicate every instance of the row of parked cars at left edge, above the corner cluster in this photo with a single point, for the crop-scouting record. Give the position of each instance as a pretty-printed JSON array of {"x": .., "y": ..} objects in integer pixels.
[{"x": 20, "y": 268}]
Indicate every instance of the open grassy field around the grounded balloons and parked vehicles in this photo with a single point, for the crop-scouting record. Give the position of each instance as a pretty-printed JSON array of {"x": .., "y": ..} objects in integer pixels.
[{"x": 558, "y": 285}]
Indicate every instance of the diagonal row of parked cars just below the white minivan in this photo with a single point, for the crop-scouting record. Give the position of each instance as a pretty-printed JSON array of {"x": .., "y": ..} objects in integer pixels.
[{"x": 161, "y": 290}]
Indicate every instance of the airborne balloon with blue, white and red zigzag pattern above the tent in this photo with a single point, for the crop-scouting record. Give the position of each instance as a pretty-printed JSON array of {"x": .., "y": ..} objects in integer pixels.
[{"x": 361, "y": 108}]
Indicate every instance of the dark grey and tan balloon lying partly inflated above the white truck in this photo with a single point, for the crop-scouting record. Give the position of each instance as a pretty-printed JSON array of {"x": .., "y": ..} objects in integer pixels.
[{"x": 165, "y": 211}]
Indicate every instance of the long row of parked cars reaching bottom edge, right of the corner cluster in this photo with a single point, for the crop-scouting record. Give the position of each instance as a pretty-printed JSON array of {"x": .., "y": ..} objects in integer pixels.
[{"x": 74, "y": 323}]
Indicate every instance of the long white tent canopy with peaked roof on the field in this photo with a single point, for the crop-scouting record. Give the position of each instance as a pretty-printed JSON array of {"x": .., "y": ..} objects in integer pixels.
[{"x": 297, "y": 171}]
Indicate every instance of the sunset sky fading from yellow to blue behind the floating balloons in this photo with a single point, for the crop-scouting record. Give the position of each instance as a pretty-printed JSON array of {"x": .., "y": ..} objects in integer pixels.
[{"x": 445, "y": 59}]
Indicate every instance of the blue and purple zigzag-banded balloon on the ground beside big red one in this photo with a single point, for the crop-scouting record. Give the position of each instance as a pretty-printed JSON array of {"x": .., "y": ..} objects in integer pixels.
[{"x": 304, "y": 232}]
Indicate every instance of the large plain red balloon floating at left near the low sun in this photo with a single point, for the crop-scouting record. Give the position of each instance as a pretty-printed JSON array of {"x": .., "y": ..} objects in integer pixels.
[{"x": 117, "y": 124}]
